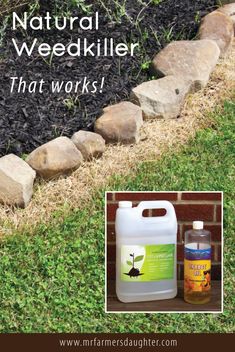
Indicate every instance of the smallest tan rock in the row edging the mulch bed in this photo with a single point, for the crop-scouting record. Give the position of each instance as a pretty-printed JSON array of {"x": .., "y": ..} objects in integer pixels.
[{"x": 90, "y": 144}]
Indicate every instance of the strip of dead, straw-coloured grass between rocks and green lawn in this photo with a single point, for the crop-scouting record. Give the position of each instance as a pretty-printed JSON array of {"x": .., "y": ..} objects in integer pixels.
[{"x": 72, "y": 192}]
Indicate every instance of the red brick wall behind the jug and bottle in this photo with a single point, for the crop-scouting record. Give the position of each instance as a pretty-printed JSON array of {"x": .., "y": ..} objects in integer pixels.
[{"x": 189, "y": 206}]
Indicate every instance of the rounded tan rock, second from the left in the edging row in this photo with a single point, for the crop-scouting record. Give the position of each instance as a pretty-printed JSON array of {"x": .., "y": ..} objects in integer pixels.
[{"x": 57, "y": 157}]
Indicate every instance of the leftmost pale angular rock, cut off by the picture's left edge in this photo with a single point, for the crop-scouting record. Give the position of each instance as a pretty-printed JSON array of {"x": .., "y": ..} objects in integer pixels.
[{"x": 16, "y": 181}]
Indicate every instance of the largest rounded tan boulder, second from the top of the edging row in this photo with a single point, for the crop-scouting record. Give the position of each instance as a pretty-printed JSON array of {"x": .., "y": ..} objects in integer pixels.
[{"x": 191, "y": 60}]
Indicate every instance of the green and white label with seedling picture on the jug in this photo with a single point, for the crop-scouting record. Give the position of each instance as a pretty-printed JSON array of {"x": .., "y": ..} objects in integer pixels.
[{"x": 147, "y": 263}]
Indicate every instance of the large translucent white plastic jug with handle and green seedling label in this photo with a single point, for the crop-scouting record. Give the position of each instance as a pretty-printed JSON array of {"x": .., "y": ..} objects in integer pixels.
[{"x": 145, "y": 252}]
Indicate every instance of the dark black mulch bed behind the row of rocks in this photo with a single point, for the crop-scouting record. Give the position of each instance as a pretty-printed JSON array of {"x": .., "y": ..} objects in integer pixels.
[{"x": 29, "y": 120}]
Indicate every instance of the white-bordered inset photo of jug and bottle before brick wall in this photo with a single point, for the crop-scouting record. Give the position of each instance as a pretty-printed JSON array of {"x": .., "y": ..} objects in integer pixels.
[{"x": 164, "y": 252}]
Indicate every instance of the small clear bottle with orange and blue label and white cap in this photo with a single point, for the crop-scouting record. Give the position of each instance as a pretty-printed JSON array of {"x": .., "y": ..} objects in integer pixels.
[{"x": 197, "y": 265}]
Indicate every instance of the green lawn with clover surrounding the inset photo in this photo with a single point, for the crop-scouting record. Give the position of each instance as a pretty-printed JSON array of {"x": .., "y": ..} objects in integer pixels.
[{"x": 53, "y": 281}]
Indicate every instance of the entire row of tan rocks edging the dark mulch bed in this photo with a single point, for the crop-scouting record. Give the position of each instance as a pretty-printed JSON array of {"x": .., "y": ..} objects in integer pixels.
[{"x": 183, "y": 67}]
